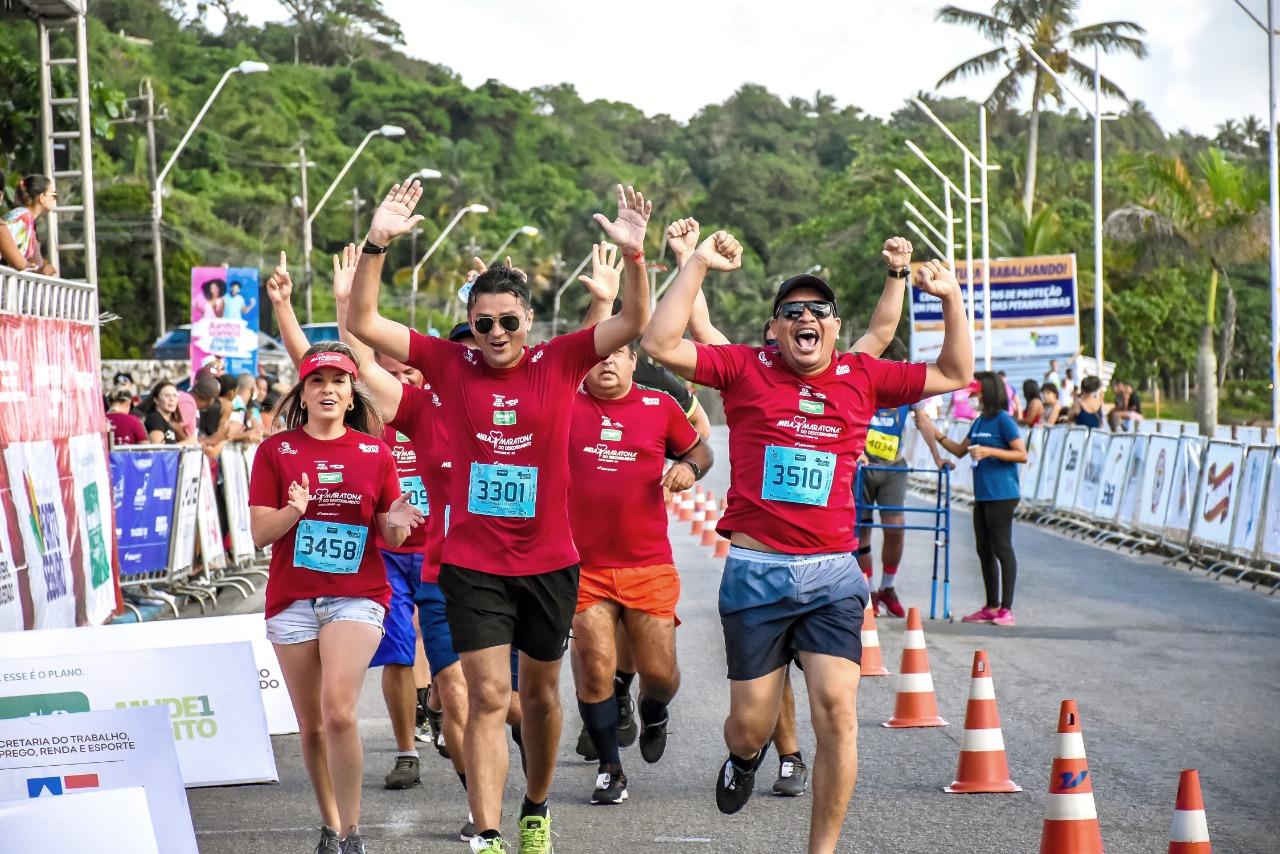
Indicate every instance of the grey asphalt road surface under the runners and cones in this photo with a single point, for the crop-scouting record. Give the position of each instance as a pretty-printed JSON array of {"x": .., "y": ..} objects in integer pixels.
[{"x": 1171, "y": 672}]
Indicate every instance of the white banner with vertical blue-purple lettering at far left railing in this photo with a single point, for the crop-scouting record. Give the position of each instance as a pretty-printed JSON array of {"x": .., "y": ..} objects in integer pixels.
[{"x": 38, "y": 505}]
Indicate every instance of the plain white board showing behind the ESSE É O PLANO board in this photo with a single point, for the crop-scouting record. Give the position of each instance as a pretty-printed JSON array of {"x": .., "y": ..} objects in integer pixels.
[{"x": 130, "y": 637}]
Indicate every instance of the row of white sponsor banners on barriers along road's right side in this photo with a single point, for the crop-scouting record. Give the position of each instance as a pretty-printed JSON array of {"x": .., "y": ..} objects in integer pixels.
[{"x": 1210, "y": 504}]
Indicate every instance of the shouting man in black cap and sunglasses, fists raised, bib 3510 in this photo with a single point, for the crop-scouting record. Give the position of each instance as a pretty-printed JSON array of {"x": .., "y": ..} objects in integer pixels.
[{"x": 798, "y": 414}]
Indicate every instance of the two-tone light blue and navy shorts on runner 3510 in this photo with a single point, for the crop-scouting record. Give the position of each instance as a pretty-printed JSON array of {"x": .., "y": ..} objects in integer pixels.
[{"x": 776, "y": 606}]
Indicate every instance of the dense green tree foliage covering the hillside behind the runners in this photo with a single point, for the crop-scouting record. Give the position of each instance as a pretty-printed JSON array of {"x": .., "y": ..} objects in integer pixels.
[{"x": 802, "y": 182}]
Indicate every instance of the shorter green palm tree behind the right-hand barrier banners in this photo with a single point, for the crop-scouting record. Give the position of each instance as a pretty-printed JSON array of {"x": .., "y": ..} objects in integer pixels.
[{"x": 1218, "y": 216}]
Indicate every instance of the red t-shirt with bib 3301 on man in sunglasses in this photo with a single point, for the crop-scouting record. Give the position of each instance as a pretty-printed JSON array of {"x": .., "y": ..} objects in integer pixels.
[{"x": 509, "y": 442}]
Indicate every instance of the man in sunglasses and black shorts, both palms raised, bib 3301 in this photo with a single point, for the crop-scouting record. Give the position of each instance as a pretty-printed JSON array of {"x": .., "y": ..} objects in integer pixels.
[{"x": 509, "y": 568}]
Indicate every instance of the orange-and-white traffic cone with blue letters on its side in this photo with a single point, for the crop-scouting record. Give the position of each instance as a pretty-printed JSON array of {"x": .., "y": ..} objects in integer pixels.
[{"x": 1071, "y": 816}]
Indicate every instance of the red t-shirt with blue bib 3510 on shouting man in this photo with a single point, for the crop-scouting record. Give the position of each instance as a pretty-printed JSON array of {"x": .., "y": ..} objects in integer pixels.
[{"x": 794, "y": 441}]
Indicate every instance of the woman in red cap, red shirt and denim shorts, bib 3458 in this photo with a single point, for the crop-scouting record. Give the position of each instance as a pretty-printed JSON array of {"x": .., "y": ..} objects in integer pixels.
[{"x": 321, "y": 495}]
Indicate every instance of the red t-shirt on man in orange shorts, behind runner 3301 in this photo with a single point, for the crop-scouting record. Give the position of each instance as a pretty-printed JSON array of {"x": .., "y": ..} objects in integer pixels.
[{"x": 616, "y": 454}]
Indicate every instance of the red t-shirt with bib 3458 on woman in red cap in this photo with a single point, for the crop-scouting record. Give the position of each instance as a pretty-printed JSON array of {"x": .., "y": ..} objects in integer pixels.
[{"x": 351, "y": 479}]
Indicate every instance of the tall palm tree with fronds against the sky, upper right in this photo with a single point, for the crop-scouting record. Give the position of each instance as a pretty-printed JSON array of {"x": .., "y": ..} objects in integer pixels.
[{"x": 1050, "y": 28}]
